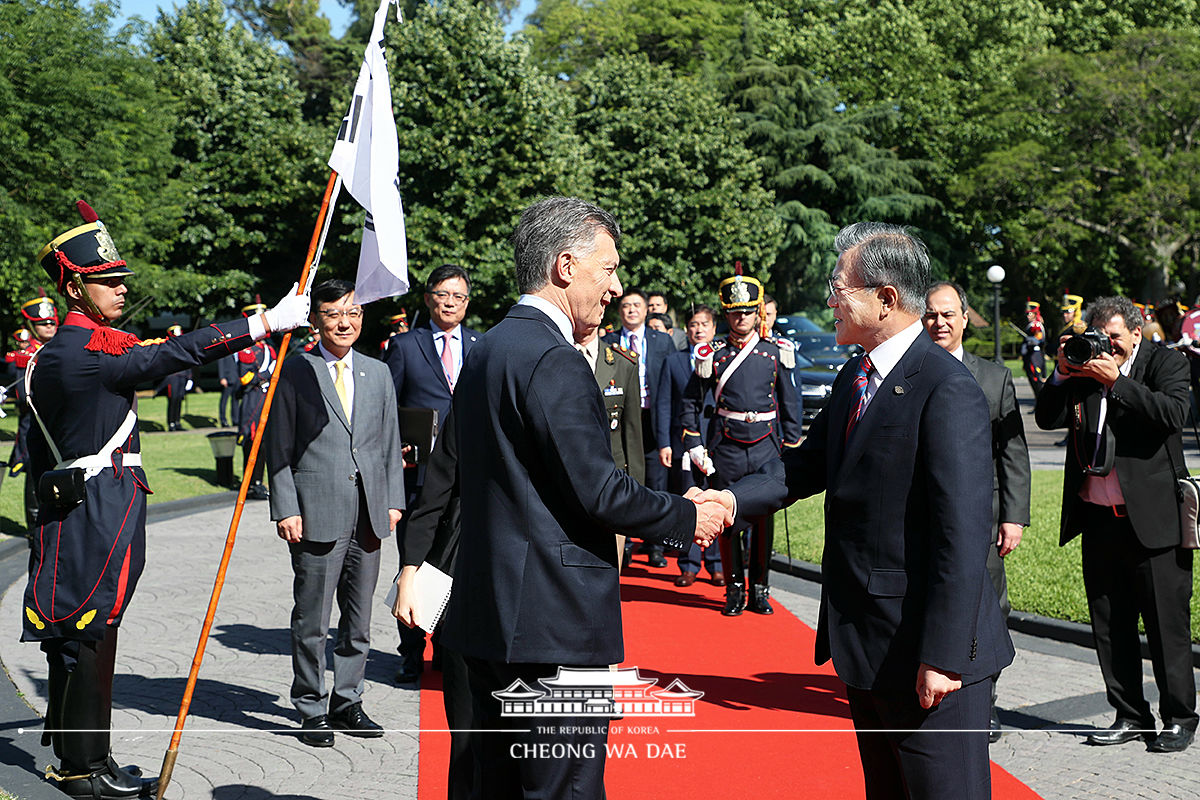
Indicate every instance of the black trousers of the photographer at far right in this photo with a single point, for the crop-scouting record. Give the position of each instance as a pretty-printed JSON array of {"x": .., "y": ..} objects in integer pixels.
[{"x": 1126, "y": 581}]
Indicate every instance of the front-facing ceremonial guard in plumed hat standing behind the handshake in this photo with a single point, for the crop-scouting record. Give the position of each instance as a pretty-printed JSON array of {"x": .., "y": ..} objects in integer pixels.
[{"x": 754, "y": 417}]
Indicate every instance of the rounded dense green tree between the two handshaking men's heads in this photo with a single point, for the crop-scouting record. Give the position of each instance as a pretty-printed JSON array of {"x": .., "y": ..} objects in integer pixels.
[{"x": 673, "y": 165}]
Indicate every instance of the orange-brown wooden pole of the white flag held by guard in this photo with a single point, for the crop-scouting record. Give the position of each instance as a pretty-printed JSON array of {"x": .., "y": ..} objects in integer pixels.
[{"x": 169, "y": 761}]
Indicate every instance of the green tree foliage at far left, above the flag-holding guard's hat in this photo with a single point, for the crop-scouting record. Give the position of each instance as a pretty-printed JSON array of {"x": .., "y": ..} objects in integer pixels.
[{"x": 81, "y": 117}]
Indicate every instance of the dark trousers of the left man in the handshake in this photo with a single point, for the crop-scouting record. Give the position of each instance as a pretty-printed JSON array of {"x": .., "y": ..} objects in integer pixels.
[{"x": 532, "y": 759}]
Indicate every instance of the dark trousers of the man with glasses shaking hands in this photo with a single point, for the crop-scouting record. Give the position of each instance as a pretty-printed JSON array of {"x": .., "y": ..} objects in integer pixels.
[{"x": 910, "y": 754}]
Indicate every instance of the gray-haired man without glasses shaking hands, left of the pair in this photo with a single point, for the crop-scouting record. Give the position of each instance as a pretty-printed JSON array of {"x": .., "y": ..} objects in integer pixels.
[{"x": 536, "y": 579}]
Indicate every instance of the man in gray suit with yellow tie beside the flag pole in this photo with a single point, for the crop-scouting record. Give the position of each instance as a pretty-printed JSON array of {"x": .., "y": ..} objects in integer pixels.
[{"x": 337, "y": 490}]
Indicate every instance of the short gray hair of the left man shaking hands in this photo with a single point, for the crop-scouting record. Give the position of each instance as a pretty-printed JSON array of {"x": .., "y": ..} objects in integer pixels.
[{"x": 554, "y": 226}]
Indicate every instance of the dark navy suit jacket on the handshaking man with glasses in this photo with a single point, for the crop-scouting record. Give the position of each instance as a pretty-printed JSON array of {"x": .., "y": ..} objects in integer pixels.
[{"x": 908, "y": 528}]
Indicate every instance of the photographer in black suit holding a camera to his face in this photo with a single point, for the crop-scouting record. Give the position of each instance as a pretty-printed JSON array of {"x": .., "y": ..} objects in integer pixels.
[{"x": 1124, "y": 401}]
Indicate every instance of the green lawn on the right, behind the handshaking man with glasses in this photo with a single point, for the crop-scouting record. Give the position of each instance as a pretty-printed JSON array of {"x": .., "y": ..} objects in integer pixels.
[{"x": 1043, "y": 579}]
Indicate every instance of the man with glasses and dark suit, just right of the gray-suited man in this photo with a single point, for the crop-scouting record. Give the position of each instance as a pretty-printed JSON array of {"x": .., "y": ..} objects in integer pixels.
[{"x": 425, "y": 365}]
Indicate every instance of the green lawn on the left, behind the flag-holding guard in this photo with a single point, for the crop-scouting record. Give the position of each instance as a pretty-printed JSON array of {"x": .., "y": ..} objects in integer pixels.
[{"x": 178, "y": 465}]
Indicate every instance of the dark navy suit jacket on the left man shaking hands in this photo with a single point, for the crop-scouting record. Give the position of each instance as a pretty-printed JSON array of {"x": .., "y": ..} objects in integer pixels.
[{"x": 542, "y": 502}]
